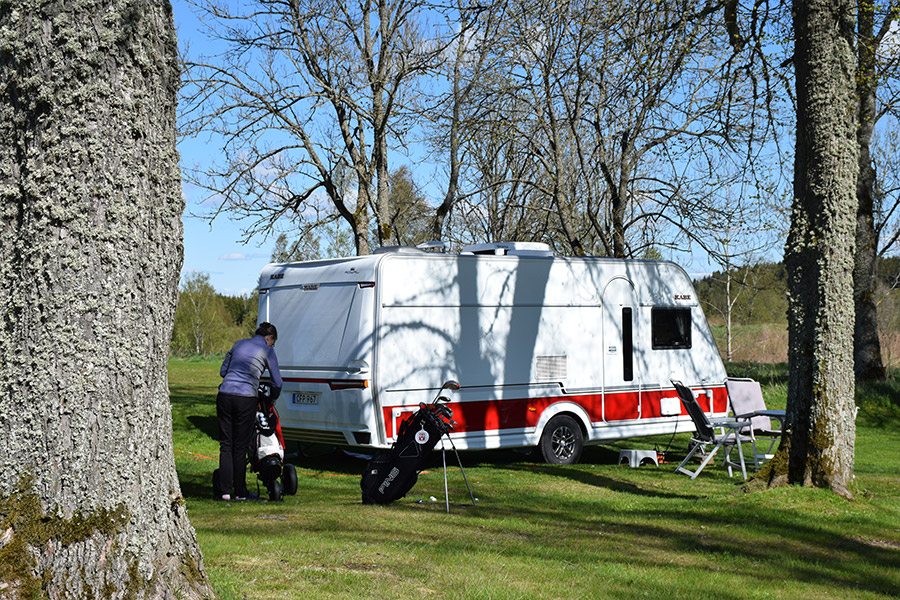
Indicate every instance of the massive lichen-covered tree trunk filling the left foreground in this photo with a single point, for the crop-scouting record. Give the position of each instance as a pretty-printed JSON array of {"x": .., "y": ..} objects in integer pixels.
[{"x": 90, "y": 209}]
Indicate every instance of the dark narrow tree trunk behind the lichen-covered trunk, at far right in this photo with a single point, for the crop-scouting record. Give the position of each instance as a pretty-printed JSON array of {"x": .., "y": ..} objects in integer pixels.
[{"x": 868, "y": 364}]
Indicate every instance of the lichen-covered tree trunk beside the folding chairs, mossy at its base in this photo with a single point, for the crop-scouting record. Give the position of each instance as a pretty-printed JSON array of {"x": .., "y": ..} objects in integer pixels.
[{"x": 820, "y": 428}]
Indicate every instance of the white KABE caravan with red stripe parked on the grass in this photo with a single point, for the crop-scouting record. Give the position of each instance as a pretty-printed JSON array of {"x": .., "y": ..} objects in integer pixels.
[{"x": 548, "y": 351}]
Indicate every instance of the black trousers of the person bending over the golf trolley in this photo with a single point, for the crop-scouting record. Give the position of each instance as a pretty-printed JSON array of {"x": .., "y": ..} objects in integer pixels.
[{"x": 237, "y": 415}]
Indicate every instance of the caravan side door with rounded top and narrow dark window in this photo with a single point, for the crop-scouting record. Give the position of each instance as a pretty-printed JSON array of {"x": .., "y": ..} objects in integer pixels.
[{"x": 621, "y": 376}]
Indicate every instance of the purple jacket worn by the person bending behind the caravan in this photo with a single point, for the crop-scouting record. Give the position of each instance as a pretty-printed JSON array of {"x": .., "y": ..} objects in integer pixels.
[{"x": 244, "y": 365}]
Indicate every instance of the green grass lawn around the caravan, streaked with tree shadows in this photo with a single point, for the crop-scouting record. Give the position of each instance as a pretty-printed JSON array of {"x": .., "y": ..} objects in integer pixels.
[{"x": 592, "y": 530}]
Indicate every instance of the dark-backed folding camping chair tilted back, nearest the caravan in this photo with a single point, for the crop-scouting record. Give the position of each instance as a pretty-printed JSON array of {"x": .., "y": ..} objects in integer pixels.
[{"x": 728, "y": 438}]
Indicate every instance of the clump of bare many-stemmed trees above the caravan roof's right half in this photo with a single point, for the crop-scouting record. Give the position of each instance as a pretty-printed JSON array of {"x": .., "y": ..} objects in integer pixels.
[{"x": 604, "y": 126}]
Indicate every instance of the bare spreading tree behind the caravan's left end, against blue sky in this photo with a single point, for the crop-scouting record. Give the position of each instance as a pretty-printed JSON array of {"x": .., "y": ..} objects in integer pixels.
[{"x": 306, "y": 94}]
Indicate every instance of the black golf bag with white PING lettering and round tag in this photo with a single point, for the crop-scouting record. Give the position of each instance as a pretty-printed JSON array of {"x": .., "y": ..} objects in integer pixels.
[{"x": 392, "y": 473}]
